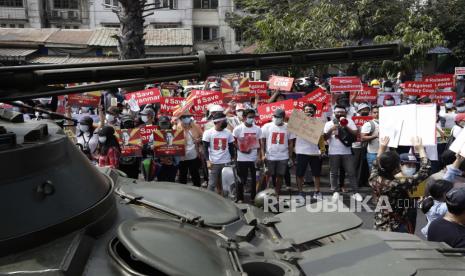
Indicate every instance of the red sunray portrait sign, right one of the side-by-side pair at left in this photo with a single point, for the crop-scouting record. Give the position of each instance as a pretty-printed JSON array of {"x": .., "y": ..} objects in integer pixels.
[{"x": 169, "y": 142}]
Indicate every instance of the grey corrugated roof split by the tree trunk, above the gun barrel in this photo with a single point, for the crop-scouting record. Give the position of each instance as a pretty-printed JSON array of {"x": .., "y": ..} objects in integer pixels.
[{"x": 153, "y": 37}]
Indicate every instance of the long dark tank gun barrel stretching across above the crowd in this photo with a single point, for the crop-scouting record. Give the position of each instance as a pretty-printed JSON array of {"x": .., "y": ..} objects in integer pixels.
[{"x": 20, "y": 82}]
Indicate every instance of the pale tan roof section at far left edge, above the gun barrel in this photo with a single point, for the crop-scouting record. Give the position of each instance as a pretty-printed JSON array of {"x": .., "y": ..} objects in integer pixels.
[{"x": 21, "y": 35}]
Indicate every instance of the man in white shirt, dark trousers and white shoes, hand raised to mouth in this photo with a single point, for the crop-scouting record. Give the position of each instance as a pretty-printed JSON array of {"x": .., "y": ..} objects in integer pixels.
[{"x": 340, "y": 155}]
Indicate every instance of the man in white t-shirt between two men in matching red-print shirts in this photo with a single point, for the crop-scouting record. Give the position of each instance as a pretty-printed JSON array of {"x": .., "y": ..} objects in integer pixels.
[{"x": 247, "y": 138}]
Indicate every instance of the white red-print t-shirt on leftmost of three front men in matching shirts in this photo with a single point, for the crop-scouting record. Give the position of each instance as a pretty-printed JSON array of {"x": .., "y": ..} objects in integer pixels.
[{"x": 218, "y": 150}]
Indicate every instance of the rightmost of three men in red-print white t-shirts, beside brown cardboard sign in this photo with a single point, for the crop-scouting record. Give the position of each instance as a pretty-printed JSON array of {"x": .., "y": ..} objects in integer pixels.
[{"x": 276, "y": 147}]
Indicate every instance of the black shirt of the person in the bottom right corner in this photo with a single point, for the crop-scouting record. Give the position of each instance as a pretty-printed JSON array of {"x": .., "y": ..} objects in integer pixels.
[{"x": 442, "y": 230}]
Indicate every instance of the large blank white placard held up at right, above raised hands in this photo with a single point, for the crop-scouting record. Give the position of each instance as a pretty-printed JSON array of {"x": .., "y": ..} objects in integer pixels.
[{"x": 408, "y": 121}]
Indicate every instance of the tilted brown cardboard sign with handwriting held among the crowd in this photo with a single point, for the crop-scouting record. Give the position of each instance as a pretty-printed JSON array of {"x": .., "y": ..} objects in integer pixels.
[{"x": 307, "y": 128}]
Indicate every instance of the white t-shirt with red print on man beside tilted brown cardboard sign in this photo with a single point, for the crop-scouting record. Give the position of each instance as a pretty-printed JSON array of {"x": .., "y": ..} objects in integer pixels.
[{"x": 277, "y": 141}]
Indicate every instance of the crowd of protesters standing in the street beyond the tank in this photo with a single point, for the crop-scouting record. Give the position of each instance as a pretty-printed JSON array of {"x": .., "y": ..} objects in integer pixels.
[{"x": 213, "y": 142}]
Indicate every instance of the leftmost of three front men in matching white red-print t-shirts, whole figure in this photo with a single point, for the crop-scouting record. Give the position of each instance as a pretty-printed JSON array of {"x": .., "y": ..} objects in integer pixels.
[{"x": 219, "y": 150}]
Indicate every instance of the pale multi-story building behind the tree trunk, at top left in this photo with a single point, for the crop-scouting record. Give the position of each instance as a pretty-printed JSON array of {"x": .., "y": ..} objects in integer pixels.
[{"x": 205, "y": 18}]
